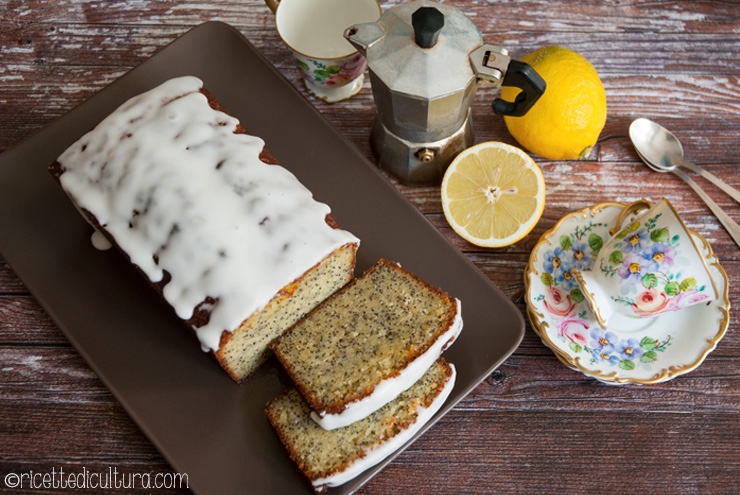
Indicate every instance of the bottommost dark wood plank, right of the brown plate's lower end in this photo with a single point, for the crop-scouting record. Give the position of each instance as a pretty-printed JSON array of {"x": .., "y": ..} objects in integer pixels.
[{"x": 533, "y": 452}]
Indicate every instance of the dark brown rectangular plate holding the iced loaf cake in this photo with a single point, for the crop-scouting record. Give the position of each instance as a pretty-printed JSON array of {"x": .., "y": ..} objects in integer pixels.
[{"x": 205, "y": 424}]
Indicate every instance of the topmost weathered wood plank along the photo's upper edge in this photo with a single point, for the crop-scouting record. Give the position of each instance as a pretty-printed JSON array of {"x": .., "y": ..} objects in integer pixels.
[{"x": 536, "y": 15}]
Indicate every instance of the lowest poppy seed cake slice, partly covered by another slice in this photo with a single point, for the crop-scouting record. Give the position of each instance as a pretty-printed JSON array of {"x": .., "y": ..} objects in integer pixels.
[{"x": 332, "y": 457}]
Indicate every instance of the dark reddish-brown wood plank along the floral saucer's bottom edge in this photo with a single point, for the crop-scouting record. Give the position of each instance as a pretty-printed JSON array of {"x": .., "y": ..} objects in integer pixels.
[{"x": 541, "y": 383}]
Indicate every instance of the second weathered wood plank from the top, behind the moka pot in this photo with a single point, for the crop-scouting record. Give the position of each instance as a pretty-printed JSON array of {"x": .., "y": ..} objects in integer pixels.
[{"x": 61, "y": 44}]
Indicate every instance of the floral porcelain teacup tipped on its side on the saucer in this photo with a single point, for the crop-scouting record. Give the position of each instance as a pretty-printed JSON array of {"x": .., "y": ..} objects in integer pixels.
[{"x": 650, "y": 266}]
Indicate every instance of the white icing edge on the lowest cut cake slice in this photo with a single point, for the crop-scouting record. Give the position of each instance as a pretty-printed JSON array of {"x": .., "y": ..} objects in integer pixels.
[{"x": 380, "y": 452}]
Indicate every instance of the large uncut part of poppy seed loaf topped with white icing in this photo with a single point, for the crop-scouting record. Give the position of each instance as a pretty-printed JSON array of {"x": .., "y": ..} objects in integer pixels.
[{"x": 234, "y": 242}]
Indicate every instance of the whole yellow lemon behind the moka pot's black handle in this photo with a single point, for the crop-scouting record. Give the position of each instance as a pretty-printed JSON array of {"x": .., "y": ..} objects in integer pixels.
[{"x": 567, "y": 119}]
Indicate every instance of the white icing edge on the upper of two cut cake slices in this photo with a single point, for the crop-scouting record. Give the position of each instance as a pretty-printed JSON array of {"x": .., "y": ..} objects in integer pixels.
[{"x": 389, "y": 389}]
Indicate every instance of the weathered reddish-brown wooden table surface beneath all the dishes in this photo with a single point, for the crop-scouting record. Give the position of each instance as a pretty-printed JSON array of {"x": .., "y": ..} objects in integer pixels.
[{"x": 533, "y": 426}]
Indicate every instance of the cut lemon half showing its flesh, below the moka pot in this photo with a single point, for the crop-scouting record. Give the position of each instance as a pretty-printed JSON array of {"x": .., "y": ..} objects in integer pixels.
[{"x": 493, "y": 194}]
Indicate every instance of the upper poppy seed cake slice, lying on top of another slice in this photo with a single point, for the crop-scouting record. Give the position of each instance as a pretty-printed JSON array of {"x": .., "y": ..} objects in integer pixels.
[{"x": 367, "y": 343}]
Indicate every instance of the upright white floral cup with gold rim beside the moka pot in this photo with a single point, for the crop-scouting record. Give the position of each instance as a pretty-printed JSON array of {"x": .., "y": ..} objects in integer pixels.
[{"x": 333, "y": 70}]
